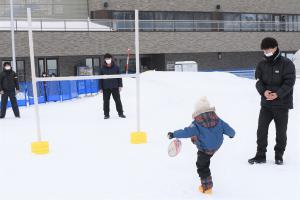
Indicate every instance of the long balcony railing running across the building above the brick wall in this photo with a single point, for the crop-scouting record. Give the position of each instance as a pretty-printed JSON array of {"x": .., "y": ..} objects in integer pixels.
[{"x": 152, "y": 25}]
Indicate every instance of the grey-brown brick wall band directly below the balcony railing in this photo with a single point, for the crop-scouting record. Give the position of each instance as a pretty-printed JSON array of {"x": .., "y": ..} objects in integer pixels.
[{"x": 98, "y": 43}]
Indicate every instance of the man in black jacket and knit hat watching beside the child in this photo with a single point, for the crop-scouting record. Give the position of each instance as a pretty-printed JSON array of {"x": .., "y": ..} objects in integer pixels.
[{"x": 275, "y": 81}]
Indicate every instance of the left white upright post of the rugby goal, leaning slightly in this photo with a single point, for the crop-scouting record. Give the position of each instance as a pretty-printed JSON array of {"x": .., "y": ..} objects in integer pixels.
[{"x": 32, "y": 63}]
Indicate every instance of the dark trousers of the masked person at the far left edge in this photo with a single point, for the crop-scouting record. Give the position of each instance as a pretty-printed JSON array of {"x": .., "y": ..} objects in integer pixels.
[{"x": 13, "y": 100}]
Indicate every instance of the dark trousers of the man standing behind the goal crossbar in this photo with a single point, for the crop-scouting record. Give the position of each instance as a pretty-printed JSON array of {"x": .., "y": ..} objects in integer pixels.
[{"x": 106, "y": 98}]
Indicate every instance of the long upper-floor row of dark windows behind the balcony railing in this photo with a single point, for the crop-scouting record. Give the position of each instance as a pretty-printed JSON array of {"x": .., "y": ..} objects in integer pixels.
[{"x": 199, "y": 21}]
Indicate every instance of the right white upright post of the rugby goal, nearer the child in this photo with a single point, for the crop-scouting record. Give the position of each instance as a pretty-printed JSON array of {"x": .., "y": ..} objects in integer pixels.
[{"x": 137, "y": 65}]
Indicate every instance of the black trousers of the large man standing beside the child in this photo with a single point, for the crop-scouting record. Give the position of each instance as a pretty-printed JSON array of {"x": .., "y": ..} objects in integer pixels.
[{"x": 280, "y": 117}]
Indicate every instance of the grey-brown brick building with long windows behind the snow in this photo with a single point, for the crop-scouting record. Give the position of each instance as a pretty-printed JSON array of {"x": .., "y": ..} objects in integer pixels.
[{"x": 217, "y": 34}]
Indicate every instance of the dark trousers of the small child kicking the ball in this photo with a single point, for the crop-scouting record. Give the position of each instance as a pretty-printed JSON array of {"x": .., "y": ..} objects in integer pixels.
[{"x": 203, "y": 162}]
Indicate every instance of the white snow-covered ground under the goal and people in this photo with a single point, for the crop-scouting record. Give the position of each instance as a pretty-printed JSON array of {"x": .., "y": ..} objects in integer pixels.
[{"x": 92, "y": 158}]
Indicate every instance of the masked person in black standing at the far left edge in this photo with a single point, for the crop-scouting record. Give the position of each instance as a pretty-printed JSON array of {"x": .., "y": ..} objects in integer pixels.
[{"x": 8, "y": 87}]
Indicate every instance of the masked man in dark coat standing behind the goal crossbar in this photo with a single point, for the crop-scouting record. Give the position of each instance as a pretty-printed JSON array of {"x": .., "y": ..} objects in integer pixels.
[{"x": 111, "y": 86}]
